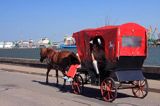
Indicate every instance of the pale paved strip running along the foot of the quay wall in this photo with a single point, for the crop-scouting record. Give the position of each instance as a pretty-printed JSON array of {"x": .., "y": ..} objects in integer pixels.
[{"x": 154, "y": 85}]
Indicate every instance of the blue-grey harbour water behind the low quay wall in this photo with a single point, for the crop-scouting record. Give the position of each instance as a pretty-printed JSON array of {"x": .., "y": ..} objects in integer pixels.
[{"x": 153, "y": 57}]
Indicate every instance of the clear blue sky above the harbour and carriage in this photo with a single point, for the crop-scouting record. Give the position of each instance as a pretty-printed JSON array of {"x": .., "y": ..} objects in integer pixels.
[{"x": 34, "y": 19}]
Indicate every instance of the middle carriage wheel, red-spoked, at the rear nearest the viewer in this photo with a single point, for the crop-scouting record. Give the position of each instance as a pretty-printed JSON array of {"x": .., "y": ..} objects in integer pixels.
[{"x": 108, "y": 90}]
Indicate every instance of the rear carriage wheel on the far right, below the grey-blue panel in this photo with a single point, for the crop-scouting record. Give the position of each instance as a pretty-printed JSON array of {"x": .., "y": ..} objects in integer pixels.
[{"x": 141, "y": 88}]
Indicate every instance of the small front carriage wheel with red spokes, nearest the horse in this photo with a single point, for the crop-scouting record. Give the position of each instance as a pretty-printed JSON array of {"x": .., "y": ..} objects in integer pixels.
[{"x": 77, "y": 84}]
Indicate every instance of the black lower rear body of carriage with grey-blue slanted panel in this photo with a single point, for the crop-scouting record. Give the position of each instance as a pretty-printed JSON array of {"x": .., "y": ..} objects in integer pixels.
[{"x": 129, "y": 68}]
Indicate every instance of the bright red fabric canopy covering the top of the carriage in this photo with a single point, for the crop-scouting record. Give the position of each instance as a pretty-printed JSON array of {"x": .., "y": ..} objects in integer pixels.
[{"x": 122, "y": 40}]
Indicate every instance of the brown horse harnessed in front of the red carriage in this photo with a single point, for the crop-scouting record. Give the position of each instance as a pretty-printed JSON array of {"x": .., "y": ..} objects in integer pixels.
[{"x": 57, "y": 60}]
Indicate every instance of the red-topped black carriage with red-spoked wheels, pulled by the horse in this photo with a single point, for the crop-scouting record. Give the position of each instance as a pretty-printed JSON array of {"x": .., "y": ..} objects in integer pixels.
[{"x": 125, "y": 48}]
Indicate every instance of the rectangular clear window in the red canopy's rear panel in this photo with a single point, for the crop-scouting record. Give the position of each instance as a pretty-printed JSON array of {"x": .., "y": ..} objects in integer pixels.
[{"x": 131, "y": 41}]
